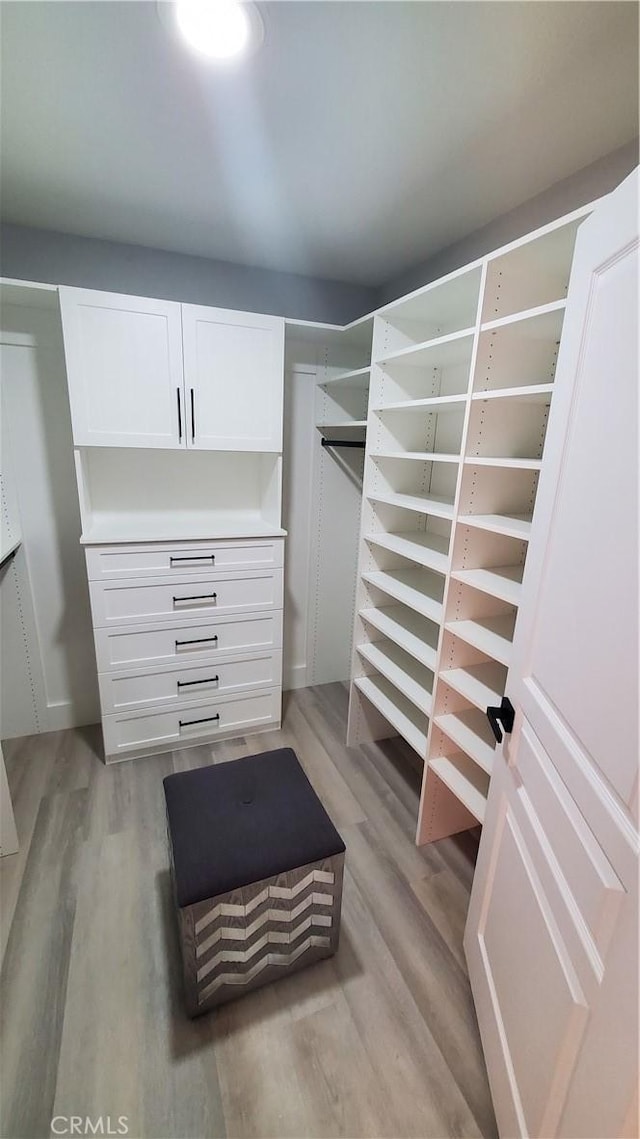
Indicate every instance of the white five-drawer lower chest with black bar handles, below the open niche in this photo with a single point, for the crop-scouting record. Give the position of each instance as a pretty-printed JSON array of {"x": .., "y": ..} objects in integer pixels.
[{"x": 188, "y": 646}]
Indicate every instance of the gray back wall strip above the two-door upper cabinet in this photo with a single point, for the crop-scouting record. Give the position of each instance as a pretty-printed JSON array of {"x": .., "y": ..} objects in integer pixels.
[{"x": 64, "y": 259}]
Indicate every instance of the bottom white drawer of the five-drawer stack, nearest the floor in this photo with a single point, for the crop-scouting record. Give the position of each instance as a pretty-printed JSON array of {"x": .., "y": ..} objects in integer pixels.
[{"x": 135, "y": 732}]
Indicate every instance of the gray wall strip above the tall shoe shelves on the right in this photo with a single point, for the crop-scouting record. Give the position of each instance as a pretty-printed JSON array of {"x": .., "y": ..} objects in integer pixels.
[{"x": 586, "y": 186}]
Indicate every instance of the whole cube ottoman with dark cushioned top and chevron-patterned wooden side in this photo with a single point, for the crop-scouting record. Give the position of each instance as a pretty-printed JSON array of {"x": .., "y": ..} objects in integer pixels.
[{"x": 258, "y": 872}]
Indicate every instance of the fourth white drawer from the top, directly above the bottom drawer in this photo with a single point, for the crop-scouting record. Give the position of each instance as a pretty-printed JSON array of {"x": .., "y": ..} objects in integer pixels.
[{"x": 124, "y": 692}]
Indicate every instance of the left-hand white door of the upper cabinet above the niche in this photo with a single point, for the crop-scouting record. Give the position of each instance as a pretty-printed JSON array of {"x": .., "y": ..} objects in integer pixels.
[{"x": 125, "y": 370}]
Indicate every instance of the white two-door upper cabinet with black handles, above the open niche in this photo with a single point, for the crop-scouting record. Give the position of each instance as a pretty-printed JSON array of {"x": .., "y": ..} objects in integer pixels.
[{"x": 146, "y": 373}]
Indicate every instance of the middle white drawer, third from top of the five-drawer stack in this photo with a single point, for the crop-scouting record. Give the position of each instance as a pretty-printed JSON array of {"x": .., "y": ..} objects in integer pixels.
[{"x": 153, "y": 646}]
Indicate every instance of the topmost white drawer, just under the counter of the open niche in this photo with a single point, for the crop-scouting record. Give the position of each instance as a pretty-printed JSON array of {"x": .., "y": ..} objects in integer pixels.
[{"x": 173, "y": 560}]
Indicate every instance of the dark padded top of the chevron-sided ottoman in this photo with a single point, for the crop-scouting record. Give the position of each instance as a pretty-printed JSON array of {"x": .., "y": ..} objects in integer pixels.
[{"x": 242, "y": 822}]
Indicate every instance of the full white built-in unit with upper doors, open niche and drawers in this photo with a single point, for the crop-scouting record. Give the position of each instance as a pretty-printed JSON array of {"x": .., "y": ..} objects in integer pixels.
[{"x": 177, "y": 415}]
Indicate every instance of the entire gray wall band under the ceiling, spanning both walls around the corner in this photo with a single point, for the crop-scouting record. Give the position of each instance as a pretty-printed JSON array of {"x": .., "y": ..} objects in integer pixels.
[{"x": 64, "y": 259}]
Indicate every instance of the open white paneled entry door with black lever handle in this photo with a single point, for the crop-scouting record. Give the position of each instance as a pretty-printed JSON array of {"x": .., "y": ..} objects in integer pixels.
[{"x": 552, "y": 938}]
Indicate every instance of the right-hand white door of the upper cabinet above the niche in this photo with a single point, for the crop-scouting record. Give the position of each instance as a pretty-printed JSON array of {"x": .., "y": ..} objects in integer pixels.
[{"x": 234, "y": 370}]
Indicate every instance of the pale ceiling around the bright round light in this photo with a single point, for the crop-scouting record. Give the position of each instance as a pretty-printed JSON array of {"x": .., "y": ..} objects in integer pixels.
[{"x": 362, "y": 138}]
